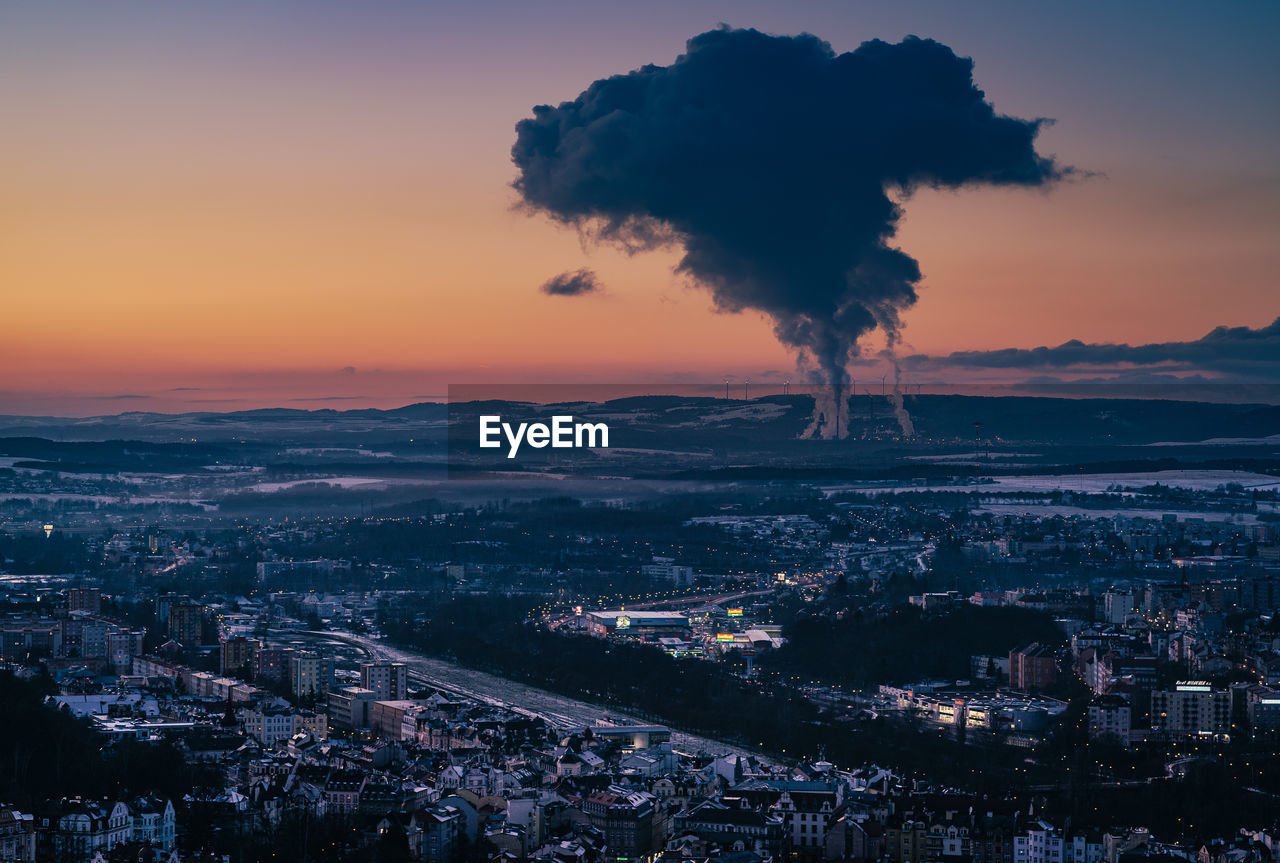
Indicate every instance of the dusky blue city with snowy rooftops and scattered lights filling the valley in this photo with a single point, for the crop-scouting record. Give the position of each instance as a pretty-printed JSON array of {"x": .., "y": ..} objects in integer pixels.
[{"x": 1014, "y": 670}]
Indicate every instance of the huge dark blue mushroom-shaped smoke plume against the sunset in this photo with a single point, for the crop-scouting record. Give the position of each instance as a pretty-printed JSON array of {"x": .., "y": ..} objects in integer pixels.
[{"x": 771, "y": 161}]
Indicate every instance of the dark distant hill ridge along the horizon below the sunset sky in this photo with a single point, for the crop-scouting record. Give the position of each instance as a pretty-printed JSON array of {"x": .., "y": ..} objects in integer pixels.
[{"x": 707, "y": 423}]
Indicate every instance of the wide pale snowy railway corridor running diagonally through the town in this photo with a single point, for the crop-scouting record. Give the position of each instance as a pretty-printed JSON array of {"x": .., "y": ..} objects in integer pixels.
[{"x": 560, "y": 711}]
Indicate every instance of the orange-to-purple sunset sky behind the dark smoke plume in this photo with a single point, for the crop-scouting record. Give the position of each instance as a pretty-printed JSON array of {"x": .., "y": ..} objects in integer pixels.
[{"x": 216, "y": 207}]
